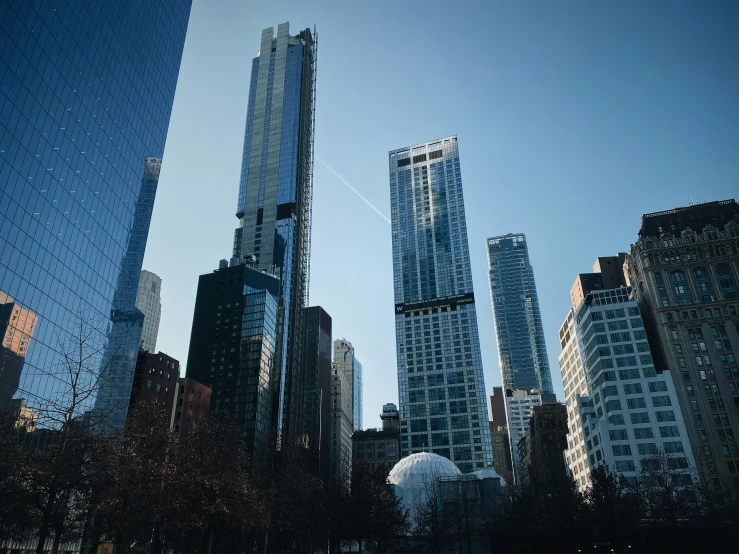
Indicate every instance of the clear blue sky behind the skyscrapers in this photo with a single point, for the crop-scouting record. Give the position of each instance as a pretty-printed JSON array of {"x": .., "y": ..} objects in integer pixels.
[{"x": 573, "y": 119}]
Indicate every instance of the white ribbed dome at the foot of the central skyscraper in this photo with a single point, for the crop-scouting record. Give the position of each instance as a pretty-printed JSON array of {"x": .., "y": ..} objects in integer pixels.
[{"x": 414, "y": 476}]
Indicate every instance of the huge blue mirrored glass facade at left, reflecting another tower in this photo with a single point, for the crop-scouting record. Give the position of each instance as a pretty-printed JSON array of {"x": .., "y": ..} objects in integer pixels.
[{"x": 86, "y": 92}]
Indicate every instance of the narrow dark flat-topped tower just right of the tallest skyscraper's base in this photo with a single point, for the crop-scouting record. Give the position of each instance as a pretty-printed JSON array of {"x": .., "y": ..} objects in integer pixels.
[{"x": 317, "y": 351}]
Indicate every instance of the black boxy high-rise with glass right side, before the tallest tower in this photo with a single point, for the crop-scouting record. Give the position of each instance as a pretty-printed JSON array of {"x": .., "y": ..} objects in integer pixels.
[{"x": 233, "y": 345}]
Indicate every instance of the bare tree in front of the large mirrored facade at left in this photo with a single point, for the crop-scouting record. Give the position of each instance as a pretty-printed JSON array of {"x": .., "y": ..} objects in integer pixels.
[{"x": 69, "y": 450}]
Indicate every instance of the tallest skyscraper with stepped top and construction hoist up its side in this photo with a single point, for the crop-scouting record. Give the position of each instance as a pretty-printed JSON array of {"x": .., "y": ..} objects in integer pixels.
[{"x": 274, "y": 202}]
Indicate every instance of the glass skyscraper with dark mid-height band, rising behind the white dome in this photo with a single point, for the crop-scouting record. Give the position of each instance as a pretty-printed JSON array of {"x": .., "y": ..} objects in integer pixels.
[{"x": 440, "y": 379}]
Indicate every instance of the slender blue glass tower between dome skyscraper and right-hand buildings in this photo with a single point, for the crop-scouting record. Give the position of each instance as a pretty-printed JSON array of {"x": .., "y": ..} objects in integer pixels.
[{"x": 521, "y": 348}]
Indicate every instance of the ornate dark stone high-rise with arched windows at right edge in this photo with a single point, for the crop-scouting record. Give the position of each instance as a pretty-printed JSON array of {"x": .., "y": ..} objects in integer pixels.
[{"x": 684, "y": 268}]
